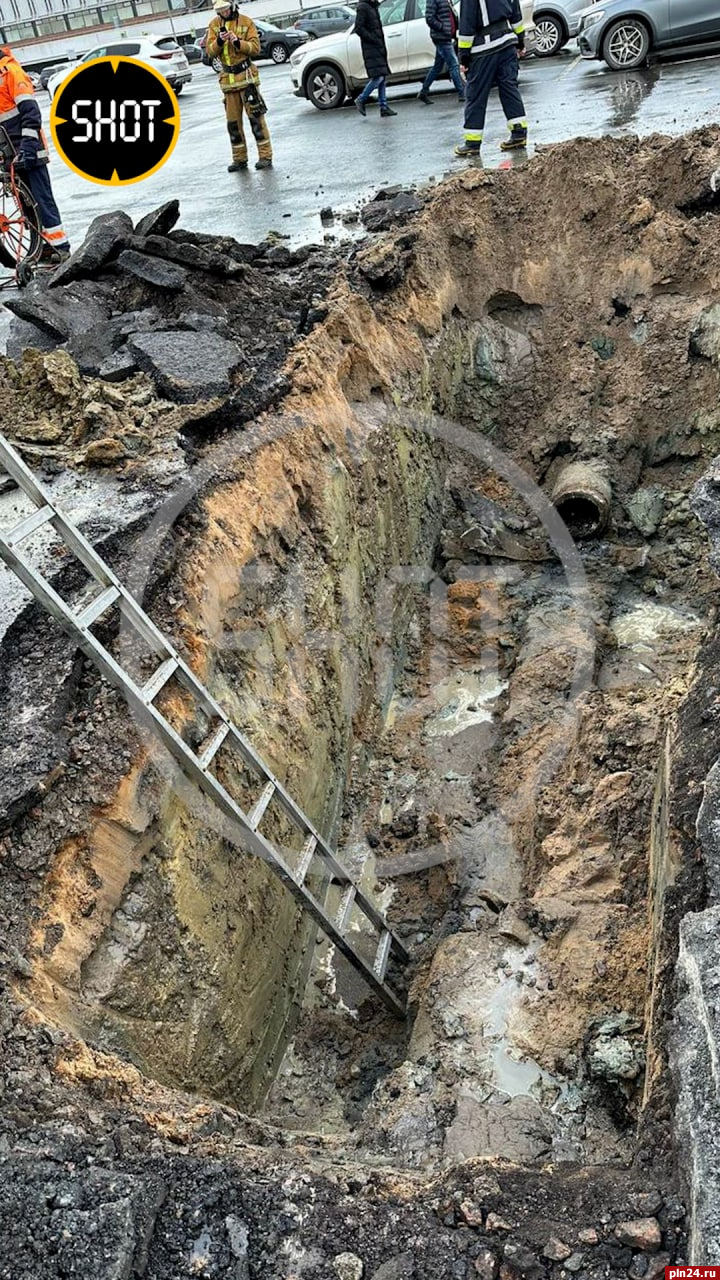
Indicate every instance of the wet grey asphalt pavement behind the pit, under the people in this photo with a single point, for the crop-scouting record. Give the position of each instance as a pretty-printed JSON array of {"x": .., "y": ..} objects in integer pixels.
[{"x": 338, "y": 159}]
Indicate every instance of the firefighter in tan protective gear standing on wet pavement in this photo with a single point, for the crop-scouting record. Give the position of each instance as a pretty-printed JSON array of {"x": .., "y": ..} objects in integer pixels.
[{"x": 234, "y": 39}]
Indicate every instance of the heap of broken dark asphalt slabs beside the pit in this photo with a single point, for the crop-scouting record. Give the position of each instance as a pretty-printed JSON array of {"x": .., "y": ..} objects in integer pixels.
[{"x": 209, "y": 321}]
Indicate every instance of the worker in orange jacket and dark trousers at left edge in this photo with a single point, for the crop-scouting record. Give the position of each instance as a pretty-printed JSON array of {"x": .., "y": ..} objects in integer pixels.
[{"x": 21, "y": 118}]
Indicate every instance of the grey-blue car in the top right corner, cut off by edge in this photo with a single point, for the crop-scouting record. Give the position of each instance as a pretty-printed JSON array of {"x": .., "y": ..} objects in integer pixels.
[{"x": 625, "y": 33}]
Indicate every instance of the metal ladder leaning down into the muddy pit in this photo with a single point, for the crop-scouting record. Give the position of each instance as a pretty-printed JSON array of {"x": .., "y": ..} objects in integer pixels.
[{"x": 197, "y": 766}]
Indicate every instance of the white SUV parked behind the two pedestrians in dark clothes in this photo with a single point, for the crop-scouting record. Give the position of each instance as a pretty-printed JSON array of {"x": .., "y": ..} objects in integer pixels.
[{"x": 330, "y": 70}]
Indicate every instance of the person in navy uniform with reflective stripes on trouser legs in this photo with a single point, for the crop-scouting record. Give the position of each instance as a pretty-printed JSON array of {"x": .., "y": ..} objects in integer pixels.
[{"x": 491, "y": 36}]
